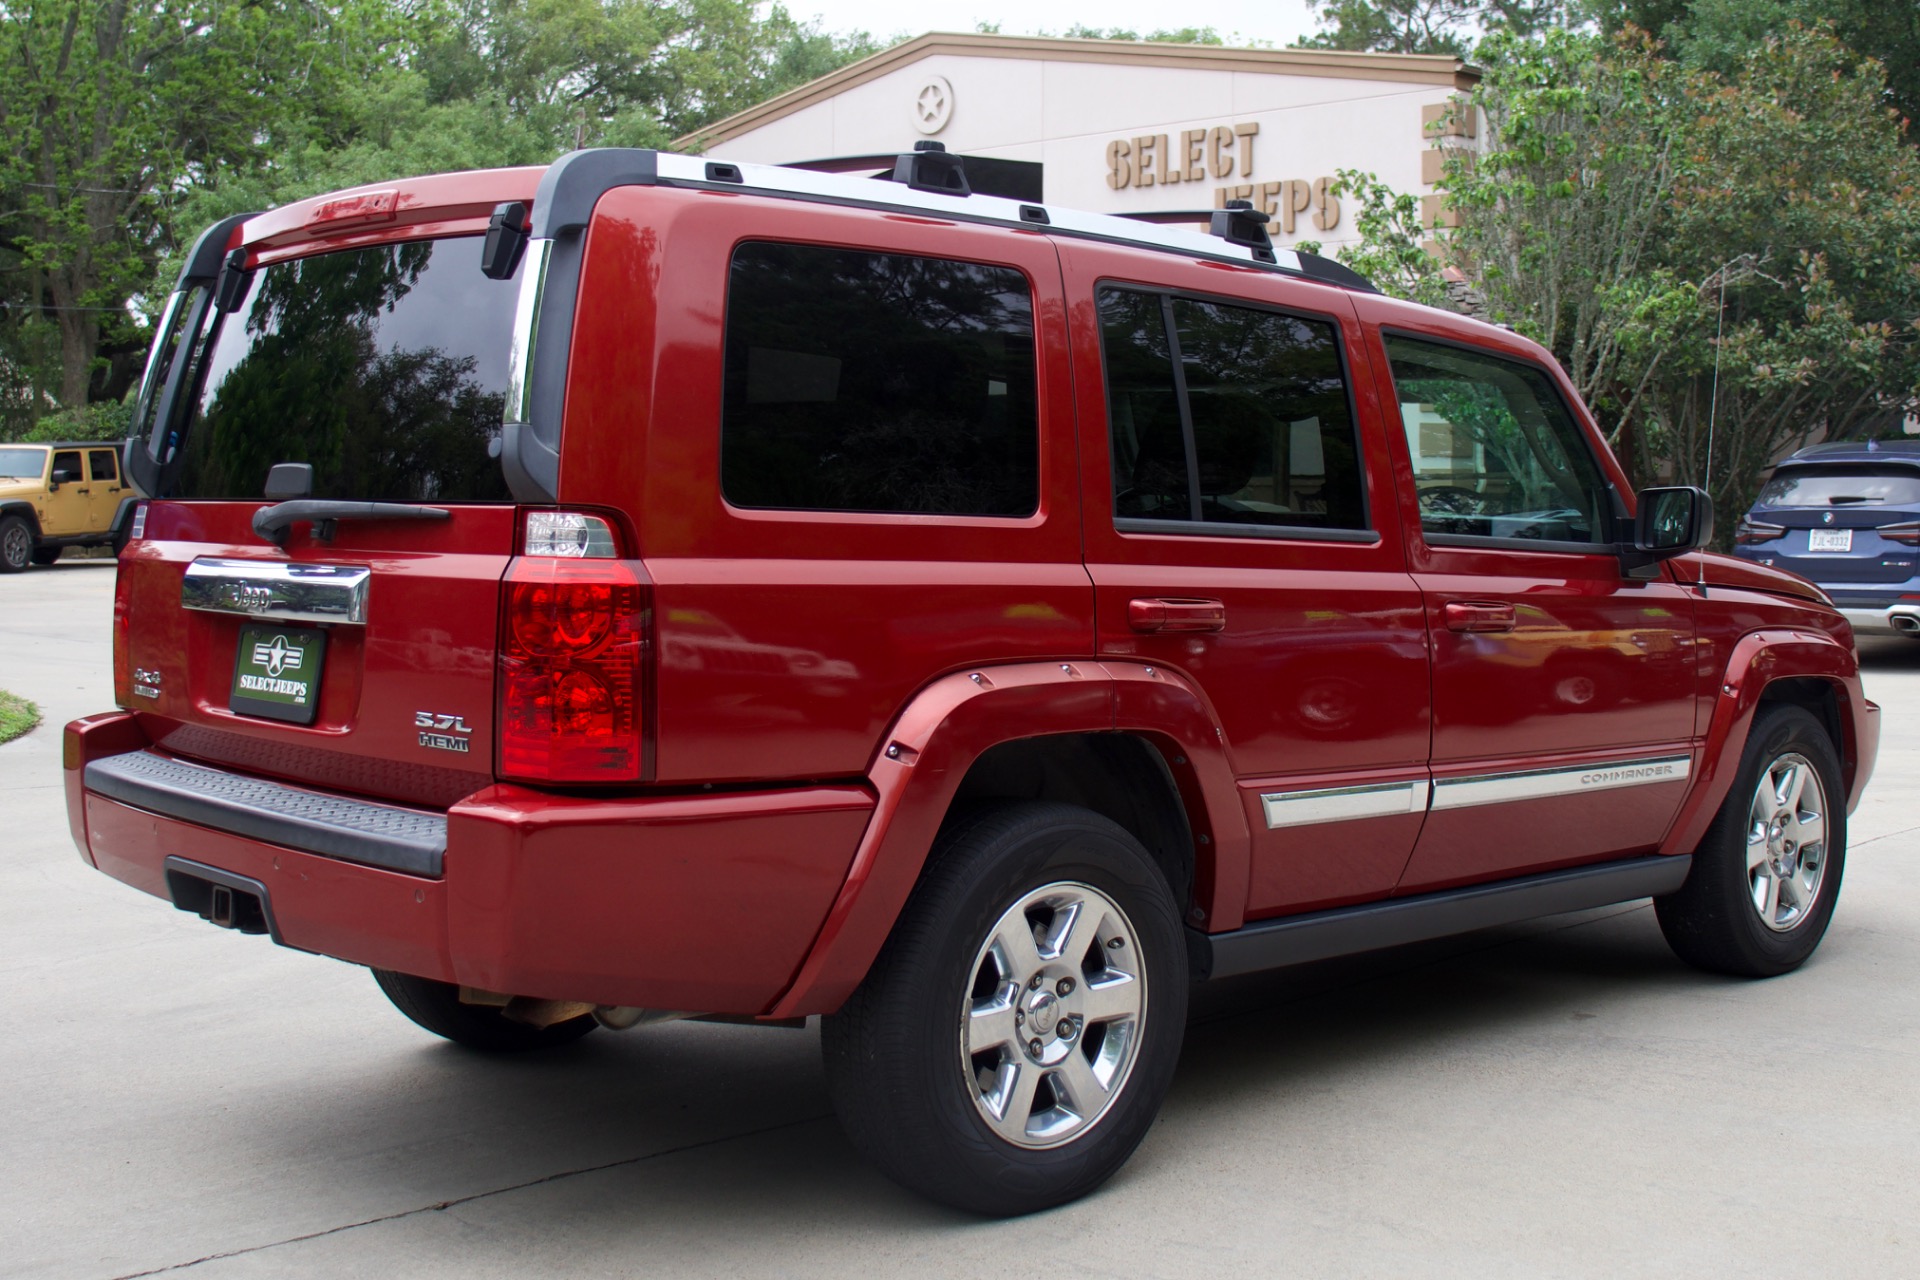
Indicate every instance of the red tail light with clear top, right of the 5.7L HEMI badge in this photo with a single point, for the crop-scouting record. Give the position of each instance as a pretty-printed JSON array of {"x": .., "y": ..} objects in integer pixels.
[{"x": 575, "y": 657}]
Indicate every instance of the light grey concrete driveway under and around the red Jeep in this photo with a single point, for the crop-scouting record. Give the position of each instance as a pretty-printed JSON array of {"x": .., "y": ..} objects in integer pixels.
[{"x": 1560, "y": 1099}]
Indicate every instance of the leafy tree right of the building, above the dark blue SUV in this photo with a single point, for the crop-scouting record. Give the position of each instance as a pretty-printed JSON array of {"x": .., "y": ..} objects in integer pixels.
[{"x": 1698, "y": 250}]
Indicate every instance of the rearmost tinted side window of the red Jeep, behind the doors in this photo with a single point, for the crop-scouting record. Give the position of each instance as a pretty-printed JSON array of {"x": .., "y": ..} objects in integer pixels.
[{"x": 878, "y": 383}]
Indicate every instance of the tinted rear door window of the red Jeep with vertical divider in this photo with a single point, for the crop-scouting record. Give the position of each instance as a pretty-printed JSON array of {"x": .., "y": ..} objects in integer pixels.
[{"x": 1228, "y": 415}]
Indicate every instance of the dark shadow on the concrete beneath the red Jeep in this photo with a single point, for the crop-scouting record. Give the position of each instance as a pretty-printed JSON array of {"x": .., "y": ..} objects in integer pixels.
[{"x": 734, "y": 1124}]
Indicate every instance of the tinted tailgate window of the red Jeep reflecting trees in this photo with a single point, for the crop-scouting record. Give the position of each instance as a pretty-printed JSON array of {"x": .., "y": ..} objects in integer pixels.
[{"x": 383, "y": 367}]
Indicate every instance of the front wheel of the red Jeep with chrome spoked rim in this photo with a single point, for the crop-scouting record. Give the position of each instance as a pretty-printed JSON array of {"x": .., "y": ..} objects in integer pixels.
[{"x": 1767, "y": 876}]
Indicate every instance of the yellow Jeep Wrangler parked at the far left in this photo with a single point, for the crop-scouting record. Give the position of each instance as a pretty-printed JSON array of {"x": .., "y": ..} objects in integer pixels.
[{"x": 59, "y": 496}]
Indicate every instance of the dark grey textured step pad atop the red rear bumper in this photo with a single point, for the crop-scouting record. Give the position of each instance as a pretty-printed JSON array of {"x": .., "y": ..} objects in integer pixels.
[{"x": 379, "y": 836}]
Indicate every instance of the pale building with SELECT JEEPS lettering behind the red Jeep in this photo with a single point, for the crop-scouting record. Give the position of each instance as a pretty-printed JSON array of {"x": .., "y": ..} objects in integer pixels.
[{"x": 1147, "y": 131}]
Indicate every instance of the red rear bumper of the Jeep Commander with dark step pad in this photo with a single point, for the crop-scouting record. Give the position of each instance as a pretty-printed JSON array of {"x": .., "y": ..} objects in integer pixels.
[{"x": 669, "y": 903}]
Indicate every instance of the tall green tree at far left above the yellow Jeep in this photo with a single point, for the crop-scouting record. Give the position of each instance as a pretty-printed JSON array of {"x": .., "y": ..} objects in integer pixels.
[{"x": 108, "y": 110}]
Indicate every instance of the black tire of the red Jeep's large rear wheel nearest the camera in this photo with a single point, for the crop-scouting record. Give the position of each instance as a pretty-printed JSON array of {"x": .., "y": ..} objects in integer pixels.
[{"x": 898, "y": 1068}]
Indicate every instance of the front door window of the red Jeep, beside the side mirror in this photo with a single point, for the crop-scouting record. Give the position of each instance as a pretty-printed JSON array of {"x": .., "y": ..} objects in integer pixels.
[{"x": 1495, "y": 450}]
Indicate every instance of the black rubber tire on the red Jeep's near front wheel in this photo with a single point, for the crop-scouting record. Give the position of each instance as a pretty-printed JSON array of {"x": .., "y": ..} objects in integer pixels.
[{"x": 1714, "y": 920}]
